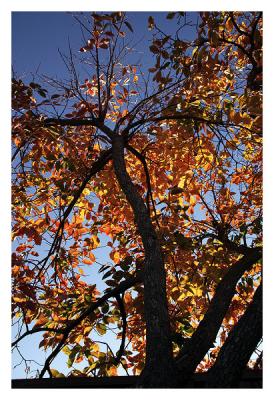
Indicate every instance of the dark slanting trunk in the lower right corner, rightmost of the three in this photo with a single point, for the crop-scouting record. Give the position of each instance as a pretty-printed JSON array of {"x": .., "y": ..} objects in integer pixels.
[{"x": 239, "y": 346}]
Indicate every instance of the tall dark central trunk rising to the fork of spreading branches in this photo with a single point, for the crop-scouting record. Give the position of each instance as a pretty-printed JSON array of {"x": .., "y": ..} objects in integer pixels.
[{"x": 159, "y": 368}]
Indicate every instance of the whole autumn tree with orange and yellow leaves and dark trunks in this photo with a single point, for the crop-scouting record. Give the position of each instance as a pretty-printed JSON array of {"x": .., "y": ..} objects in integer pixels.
[{"x": 165, "y": 164}]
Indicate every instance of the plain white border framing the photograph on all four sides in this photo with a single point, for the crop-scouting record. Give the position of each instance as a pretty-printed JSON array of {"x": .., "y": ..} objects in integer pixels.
[{"x": 6, "y": 6}]
